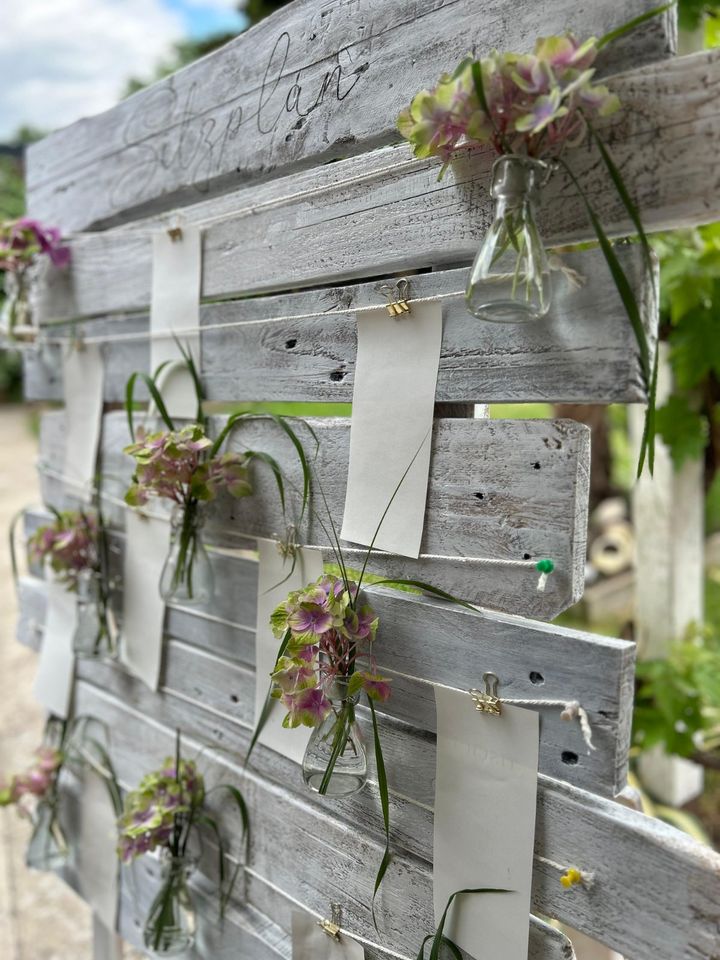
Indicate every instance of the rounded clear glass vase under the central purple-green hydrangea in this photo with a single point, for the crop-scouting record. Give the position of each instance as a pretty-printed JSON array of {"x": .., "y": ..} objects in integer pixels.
[{"x": 335, "y": 761}]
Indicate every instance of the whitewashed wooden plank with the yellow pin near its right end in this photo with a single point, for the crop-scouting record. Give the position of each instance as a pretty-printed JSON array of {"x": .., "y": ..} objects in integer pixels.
[{"x": 656, "y": 894}]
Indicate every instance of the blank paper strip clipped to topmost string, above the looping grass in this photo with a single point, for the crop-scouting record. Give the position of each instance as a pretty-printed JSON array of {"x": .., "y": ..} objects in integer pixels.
[{"x": 174, "y": 308}]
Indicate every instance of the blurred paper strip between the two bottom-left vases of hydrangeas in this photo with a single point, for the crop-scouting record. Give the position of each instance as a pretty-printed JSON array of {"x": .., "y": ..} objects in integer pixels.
[{"x": 96, "y": 853}]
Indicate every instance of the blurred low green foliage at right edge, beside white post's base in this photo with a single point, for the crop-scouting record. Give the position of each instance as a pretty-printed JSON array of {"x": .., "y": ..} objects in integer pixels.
[{"x": 677, "y": 700}]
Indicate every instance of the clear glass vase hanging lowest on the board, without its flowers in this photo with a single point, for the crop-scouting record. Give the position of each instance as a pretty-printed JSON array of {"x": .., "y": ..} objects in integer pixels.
[{"x": 171, "y": 921}]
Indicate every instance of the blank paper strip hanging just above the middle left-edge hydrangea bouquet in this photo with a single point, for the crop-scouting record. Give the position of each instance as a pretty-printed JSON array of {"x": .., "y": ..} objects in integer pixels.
[{"x": 83, "y": 376}]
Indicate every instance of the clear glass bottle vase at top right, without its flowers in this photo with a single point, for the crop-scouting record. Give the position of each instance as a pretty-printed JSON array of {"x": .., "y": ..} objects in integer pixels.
[{"x": 510, "y": 278}]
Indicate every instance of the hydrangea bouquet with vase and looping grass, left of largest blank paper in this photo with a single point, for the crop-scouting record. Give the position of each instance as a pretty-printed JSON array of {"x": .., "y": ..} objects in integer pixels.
[{"x": 186, "y": 467}]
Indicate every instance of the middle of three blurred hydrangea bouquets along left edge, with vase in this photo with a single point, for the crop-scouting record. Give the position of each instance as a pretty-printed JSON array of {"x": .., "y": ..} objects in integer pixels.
[{"x": 74, "y": 546}]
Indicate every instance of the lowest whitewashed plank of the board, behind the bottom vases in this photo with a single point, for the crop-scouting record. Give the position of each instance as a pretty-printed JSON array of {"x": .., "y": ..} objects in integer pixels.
[{"x": 246, "y": 931}]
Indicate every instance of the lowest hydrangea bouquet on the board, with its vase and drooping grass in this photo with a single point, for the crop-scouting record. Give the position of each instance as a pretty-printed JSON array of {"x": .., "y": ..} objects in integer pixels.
[{"x": 161, "y": 816}]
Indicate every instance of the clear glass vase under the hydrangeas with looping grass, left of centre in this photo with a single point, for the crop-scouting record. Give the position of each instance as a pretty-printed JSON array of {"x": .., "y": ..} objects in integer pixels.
[{"x": 187, "y": 576}]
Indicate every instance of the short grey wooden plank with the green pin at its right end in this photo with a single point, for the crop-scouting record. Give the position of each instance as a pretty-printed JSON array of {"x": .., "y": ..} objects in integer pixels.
[{"x": 499, "y": 490}]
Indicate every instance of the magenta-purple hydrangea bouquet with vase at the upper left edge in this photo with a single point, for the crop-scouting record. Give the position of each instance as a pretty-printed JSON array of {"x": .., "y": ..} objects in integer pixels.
[{"x": 22, "y": 243}]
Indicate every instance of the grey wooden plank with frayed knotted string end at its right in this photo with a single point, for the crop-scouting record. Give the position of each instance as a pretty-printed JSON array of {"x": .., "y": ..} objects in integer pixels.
[{"x": 210, "y": 661}]
